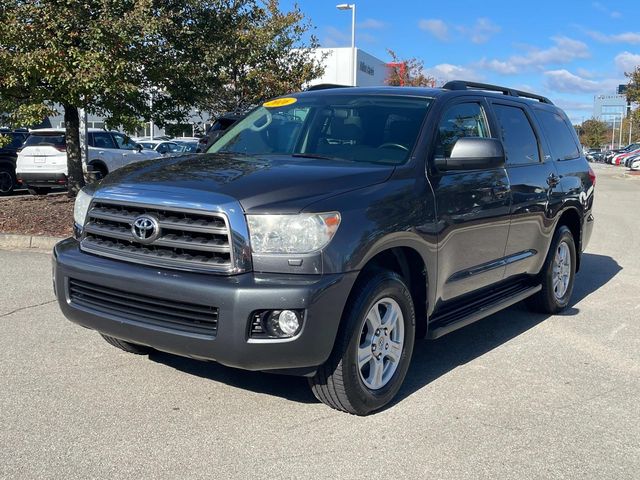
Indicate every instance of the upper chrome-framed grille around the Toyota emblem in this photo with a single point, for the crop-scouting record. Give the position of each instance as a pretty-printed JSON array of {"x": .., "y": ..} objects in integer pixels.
[{"x": 187, "y": 240}]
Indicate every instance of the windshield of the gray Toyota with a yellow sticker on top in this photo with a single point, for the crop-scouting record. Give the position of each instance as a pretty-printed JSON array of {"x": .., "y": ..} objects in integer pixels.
[{"x": 361, "y": 128}]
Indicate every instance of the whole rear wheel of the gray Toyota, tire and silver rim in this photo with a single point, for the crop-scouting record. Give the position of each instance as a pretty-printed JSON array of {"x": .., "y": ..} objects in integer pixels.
[{"x": 558, "y": 274}]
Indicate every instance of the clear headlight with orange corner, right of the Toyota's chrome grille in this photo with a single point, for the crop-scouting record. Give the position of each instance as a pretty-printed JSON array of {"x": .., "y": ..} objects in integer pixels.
[{"x": 302, "y": 233}]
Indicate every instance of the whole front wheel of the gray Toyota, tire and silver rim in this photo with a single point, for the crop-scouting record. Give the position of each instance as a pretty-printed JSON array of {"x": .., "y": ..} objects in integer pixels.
[{"x": 373, "y": 350}]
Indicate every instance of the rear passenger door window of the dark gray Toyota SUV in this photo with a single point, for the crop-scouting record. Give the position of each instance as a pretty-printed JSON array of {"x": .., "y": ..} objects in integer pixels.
[{"x": 520, "y": 143}]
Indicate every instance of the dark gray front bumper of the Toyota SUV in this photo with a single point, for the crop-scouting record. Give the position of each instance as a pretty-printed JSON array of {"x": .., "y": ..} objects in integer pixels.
[{"x": 323, "y": 298}]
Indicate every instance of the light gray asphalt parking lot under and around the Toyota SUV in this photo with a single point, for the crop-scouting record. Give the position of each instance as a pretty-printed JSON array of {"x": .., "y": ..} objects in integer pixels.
[{"x": 517, "y": 395}]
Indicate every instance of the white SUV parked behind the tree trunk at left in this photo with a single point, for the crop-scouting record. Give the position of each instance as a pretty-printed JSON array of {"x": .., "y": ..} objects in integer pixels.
[{"x": 42, "y": 161}]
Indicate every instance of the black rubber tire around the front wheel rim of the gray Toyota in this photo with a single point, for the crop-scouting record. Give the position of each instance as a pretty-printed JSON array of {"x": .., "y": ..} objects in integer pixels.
[{"x": 339, "y": 383}]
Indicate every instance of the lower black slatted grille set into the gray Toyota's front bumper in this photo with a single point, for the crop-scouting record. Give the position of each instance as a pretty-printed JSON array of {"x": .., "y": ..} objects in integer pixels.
[{"x": 180, "y": 316}]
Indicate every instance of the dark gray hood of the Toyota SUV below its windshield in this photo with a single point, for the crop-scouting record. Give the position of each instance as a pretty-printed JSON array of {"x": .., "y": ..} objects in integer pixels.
[{"x": 277, "y": 183}]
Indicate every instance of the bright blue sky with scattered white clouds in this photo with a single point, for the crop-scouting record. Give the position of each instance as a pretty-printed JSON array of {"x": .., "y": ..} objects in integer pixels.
[{"x": 568, "y": 50}]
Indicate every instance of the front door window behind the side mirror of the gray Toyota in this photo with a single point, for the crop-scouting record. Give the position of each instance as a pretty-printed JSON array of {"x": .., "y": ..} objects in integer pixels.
[{"x": 461, "y": 120}]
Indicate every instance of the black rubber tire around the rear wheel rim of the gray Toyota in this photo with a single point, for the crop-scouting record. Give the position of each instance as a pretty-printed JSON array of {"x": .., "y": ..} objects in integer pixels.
[{"x": 546, "y": 300}]
